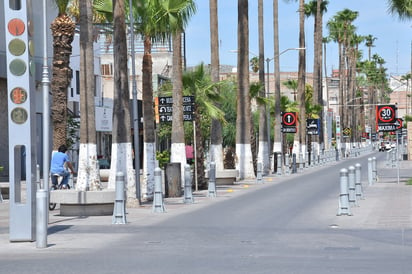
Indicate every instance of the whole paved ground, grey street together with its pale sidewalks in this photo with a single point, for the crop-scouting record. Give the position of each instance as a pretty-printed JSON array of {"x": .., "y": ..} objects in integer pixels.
[{"x": 285, "y": 225}]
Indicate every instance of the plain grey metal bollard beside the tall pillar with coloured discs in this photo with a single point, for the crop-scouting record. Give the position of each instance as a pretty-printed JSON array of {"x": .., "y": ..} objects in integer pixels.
[{"x": 41, "y": 218}]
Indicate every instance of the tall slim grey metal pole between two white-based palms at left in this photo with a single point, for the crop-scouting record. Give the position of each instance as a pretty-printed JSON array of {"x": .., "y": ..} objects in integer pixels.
[{"x": 135, "y": 108}]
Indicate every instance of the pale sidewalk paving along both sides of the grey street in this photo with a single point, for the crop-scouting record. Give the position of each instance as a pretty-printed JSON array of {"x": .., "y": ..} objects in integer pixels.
[{"x": 387, "y": 204}]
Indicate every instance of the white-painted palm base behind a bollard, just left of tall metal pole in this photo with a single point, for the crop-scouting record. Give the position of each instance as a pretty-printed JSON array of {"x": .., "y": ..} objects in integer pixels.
[{"x": 122, "y": 161}]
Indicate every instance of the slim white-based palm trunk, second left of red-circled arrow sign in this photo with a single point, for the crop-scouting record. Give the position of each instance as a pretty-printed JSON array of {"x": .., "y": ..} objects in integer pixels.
[{"x": 264, "y": 139}]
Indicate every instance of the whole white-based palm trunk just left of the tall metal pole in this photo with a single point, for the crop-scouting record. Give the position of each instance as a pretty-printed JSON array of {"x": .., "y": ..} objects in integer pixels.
[{"x": 121, "y": 142}]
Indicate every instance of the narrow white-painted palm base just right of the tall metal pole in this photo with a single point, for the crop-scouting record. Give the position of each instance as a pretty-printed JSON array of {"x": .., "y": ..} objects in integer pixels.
[{"x": 149, "y": 165}]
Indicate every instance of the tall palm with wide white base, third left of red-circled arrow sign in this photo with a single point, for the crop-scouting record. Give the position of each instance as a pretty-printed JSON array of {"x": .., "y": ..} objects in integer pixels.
[{"x": 243, "y": 147}]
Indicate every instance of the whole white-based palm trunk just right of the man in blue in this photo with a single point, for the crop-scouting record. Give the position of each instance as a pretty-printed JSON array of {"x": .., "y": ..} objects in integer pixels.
[{"x": 88, "y": 177}]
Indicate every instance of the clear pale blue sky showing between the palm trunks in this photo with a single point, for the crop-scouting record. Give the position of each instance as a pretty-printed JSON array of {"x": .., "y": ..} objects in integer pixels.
[{"x": 393, "y": 43}]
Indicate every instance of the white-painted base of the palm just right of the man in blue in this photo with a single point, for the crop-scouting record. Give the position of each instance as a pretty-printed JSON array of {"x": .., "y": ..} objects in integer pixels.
[{"x": 88, "y": 177}]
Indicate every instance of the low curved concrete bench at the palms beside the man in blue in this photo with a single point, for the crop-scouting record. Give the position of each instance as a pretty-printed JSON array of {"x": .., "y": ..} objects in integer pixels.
[{"x": 84, "y": 203}]
